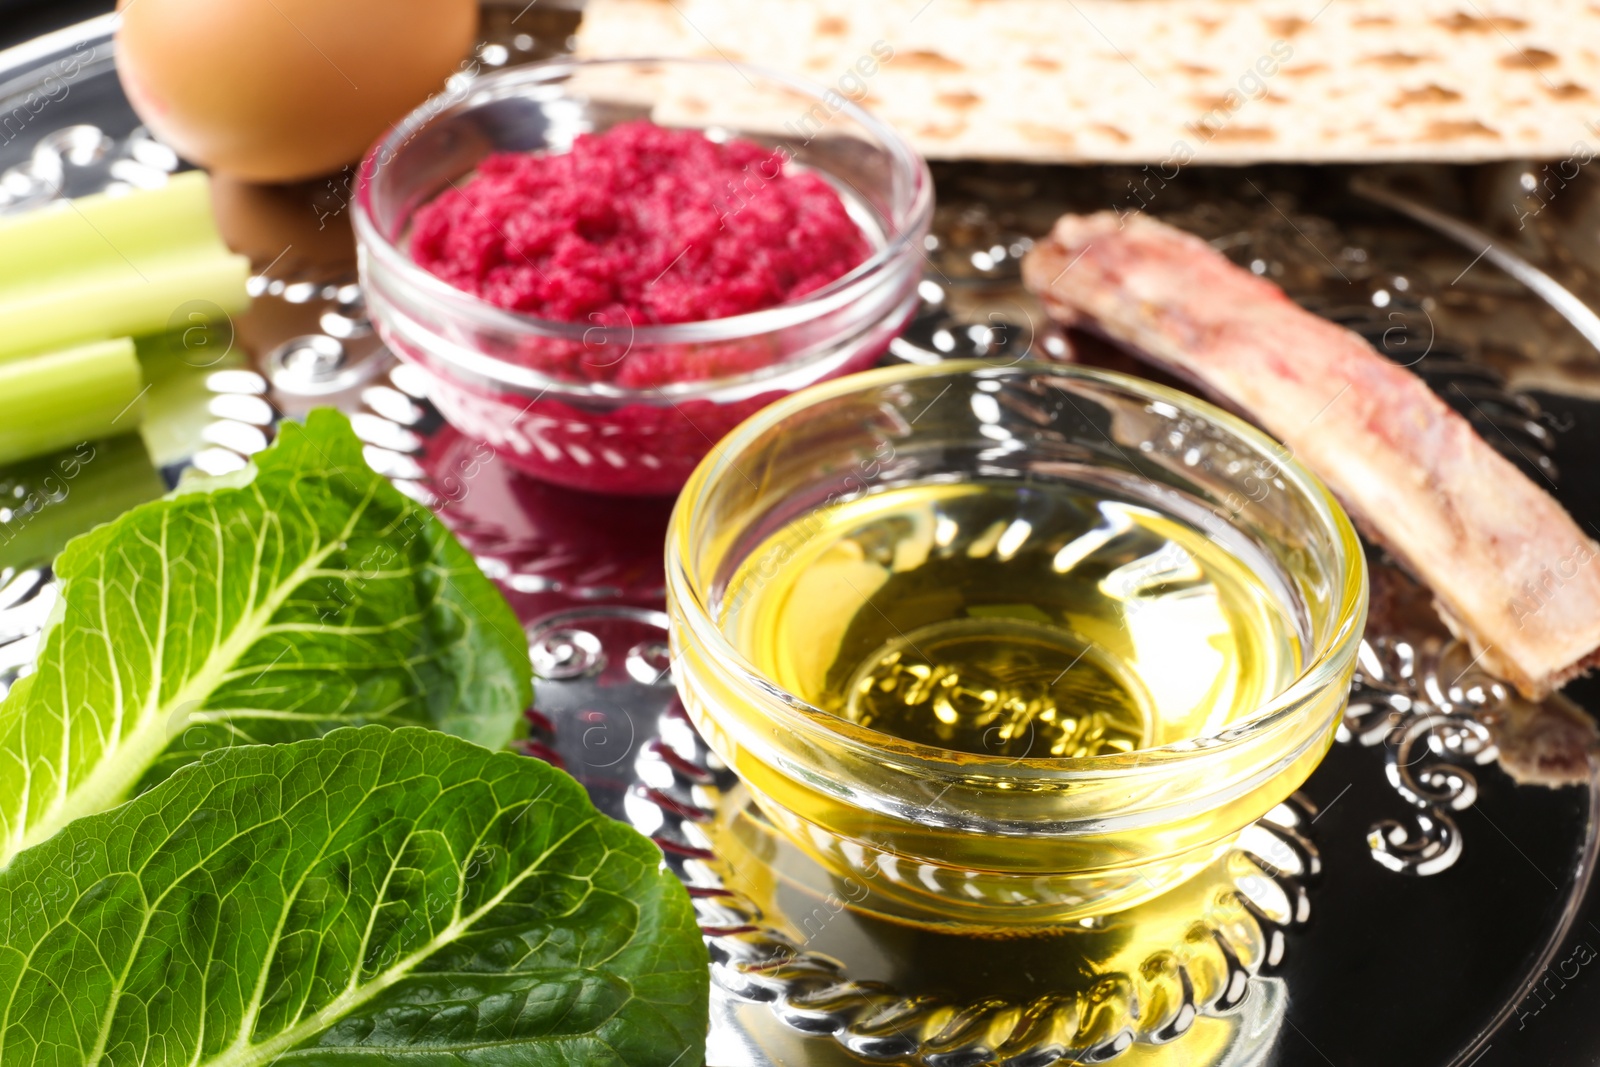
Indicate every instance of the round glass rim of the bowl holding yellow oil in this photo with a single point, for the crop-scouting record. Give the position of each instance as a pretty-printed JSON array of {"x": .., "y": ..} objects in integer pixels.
[{"x": 1322, "y": 668}]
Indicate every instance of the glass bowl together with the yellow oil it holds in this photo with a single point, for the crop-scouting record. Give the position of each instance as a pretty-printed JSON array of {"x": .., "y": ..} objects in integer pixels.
[{"x": 1017, "y": 645}]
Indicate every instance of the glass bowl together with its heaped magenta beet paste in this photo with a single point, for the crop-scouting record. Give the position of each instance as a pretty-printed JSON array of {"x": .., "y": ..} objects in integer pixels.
[{"x": 604, "y": 266}]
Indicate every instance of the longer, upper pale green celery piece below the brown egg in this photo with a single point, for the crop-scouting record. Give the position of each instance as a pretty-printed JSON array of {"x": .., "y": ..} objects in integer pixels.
[{"x": 111, "y": 266}]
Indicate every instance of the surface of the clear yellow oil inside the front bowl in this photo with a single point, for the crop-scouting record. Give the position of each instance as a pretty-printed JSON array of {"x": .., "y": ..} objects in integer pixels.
[{"x": 1007, "y": 620}]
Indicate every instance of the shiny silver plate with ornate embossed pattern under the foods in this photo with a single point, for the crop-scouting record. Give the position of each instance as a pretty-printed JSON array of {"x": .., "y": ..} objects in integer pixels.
[{"x": 1412, "y": 905}]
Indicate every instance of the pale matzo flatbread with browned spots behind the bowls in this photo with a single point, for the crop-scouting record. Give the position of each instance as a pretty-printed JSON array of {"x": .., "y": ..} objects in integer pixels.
[{"x": 1166, "y": 82}]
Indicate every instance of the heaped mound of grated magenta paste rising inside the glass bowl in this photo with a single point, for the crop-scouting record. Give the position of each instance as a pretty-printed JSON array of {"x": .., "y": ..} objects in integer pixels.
[{"x": 641, "y": 225}]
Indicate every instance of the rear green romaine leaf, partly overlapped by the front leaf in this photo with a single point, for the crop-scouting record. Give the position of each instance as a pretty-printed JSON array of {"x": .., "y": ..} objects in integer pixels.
[{"x": 273, "y": 605}]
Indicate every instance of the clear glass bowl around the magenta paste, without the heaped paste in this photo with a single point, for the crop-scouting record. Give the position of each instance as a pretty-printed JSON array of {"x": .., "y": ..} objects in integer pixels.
[{"x": 599, "y": 436}]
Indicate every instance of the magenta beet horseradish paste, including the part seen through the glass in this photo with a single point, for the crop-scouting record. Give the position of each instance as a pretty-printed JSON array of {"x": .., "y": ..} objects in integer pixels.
[{"x": 639, "y": 226}]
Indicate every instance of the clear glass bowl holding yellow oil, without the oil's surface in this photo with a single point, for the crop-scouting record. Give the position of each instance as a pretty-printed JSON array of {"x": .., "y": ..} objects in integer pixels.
[{"x": 980, "y": 841}]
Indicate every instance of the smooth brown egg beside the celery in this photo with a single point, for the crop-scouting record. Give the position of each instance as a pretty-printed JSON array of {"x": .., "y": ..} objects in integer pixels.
[{"x": 278, "y": 90}]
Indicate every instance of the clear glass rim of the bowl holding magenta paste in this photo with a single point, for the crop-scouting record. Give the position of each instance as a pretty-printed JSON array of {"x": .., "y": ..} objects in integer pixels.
[{"x": 522, "y": 79}]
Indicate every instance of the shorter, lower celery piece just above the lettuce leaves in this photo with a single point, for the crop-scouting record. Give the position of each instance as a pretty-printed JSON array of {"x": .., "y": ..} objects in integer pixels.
[{"x": 60, "y": 399}]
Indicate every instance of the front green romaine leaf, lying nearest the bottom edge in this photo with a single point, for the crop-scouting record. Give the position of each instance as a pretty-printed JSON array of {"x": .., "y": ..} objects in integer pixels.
[{"x": 374, "y": 897}]
